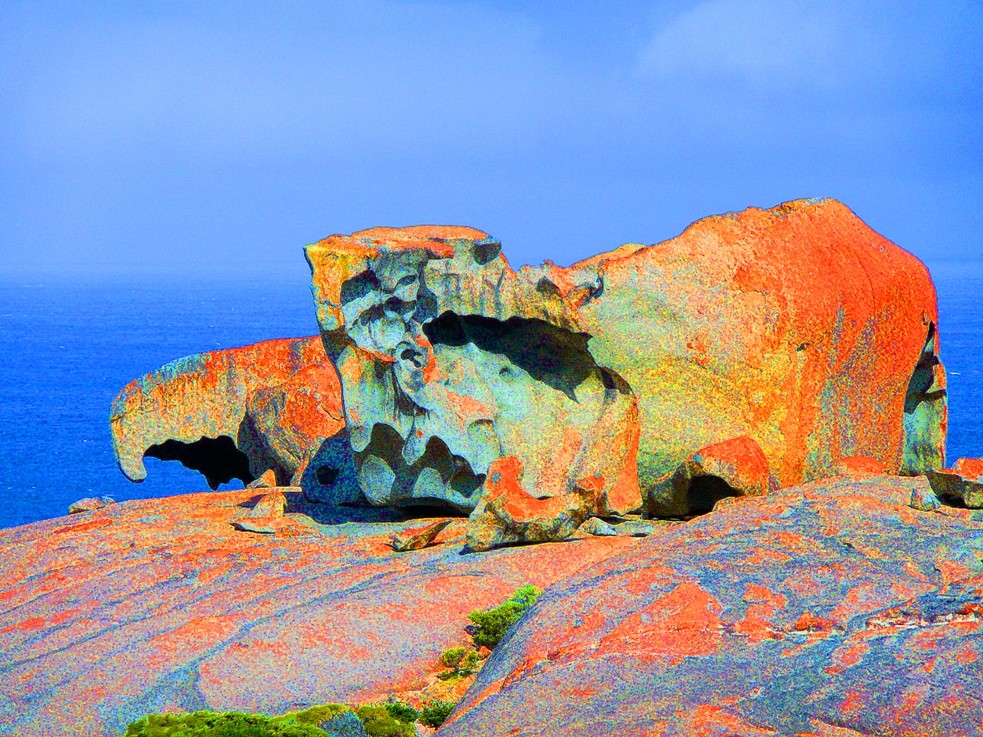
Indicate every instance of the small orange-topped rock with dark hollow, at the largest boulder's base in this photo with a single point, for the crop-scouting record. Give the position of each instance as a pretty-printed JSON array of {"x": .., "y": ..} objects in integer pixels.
[{"x": 735, "y": 467}]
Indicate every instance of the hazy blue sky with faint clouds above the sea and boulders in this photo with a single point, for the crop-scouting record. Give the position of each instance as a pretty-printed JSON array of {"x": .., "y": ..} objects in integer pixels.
[{"x": 213, "y": 140}]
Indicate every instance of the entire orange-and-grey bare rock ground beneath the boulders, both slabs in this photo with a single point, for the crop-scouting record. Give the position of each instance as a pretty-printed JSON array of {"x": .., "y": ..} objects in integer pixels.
[{"x": 826, "y": 609}]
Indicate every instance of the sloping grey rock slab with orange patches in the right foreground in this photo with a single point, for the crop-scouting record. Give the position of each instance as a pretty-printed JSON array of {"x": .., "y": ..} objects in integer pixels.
[{"x": 828, "y": 609}]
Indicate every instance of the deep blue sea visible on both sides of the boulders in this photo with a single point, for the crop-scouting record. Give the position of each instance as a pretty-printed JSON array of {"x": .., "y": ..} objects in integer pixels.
[{"x": 69, "y": 347}]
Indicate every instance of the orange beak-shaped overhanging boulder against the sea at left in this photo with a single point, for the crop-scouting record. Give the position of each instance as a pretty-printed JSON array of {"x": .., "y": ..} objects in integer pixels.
[{"x": 233, "y": 413}]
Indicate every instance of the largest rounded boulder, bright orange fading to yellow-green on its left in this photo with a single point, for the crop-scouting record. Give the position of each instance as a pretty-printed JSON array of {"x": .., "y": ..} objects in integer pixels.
[{"x": 797, "y": 326}]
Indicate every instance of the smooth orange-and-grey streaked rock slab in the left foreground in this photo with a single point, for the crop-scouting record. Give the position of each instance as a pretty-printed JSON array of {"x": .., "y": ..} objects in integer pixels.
[{"x": 160, "y": 604}]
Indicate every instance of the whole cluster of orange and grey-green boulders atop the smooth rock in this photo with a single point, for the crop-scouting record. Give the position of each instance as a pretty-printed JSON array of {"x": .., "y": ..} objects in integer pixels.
[{"x": 789, "y": 342}]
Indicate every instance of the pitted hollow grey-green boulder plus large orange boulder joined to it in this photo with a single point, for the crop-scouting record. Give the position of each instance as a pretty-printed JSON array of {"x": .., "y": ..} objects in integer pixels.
[{"x": 797, "y": 327}]
